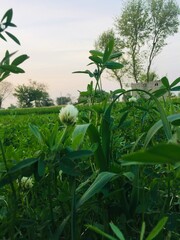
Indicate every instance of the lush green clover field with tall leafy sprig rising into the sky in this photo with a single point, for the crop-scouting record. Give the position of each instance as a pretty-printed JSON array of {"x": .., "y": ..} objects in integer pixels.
[{"x": 103, "y": 170}]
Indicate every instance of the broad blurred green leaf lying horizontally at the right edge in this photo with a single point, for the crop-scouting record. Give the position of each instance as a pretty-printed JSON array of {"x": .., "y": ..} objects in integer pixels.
[{"x": 159, "y": 154}]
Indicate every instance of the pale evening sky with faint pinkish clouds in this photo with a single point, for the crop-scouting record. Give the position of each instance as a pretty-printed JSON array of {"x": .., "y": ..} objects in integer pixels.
[{"x": 57, "y": 36}]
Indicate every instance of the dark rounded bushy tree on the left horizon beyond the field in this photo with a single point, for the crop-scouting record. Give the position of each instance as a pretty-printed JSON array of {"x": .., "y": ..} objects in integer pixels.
[{"x": 32, "y": 94}]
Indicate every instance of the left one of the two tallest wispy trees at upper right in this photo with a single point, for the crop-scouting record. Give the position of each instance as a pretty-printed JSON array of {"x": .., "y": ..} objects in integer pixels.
[{"x": 132, "y": 26}]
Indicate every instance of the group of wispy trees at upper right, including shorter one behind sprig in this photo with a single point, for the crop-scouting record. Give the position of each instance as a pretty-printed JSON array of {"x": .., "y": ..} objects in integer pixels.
[{"x": 141, "y": 32}]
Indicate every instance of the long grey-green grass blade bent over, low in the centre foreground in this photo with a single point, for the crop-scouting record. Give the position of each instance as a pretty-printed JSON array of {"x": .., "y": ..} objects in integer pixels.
[{"x": 102, "y": 179}]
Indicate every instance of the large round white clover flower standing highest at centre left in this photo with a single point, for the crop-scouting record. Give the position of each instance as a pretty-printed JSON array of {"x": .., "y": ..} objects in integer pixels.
[{"x": 68, "y": 115}]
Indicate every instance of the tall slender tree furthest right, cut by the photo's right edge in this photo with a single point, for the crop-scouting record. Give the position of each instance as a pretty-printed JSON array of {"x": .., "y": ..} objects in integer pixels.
[{"x": 164, "y": 23}]
